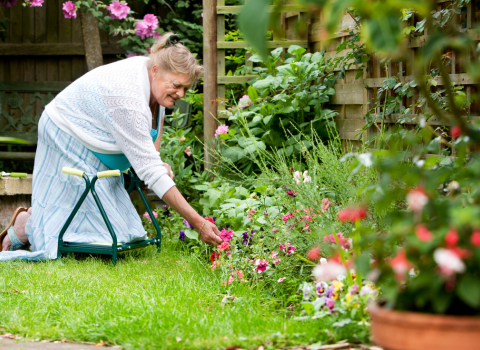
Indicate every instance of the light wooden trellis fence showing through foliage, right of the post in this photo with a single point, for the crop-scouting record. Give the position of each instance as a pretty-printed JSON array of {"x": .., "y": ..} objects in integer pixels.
[{"x": 352, "y": 97}]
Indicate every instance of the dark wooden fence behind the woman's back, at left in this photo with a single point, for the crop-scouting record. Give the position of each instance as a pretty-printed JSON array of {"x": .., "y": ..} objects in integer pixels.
[{"x": 42, "y": 54}]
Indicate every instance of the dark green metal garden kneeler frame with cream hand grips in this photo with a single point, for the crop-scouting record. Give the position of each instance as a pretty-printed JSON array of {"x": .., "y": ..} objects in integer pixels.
[{"x": 105, "y": 248}]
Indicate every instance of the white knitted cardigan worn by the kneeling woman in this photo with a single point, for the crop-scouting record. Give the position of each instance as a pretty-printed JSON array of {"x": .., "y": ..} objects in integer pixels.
[{"x": 107, "y": 110}]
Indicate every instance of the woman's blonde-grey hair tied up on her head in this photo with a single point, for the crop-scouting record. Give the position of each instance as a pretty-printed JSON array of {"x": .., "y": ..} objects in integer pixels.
[{"x": 176, "y": 59}]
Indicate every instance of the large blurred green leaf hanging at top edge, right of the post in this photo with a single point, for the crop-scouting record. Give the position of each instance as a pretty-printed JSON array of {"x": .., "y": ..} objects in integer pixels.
[{"x": 253, "y": 21}]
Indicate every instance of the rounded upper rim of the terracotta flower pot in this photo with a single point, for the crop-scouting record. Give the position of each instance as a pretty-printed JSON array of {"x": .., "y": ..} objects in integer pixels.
[{"x": 410, "y": 318}]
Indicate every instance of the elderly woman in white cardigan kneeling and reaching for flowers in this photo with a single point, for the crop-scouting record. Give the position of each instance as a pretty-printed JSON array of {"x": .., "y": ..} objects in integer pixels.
[{"x": 104, "y": 121}]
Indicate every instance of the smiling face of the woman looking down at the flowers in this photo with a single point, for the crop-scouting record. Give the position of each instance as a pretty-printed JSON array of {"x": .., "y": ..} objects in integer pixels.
[{"x": 167, "y": 87}]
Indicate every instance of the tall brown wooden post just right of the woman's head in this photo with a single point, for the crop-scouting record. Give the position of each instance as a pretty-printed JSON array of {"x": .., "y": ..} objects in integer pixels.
[{"x": 210, "y": 76}]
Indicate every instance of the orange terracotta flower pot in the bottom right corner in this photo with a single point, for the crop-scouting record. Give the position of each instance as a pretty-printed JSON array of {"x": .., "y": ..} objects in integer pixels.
[{"x": 401, "y": 330}]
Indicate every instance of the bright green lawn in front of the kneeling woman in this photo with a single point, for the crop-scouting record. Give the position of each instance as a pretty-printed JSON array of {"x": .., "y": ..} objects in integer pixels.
[{"x": 148, "y": 301}]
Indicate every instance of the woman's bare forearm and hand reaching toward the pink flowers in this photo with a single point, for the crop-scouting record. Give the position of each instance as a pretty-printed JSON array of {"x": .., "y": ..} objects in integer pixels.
[{"x": 207, "y": 231}]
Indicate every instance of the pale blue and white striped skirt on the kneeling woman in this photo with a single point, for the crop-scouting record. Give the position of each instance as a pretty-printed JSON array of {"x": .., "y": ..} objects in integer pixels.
[{"x": 54, "y": 195}]
